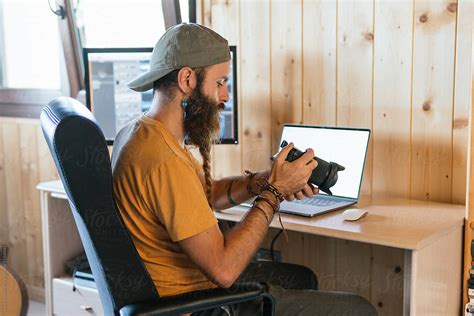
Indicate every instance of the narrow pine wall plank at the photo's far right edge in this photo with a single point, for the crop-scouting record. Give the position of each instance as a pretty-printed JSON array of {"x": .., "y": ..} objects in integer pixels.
[{"x": 462, "y": 99}]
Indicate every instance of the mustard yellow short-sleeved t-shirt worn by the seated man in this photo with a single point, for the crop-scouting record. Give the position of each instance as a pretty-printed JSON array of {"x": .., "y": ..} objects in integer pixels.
[{"x": 162, "y": 201}]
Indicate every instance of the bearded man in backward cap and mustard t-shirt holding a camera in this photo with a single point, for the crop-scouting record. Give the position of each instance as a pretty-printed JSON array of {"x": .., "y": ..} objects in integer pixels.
[{"x": 166, "y": 198}]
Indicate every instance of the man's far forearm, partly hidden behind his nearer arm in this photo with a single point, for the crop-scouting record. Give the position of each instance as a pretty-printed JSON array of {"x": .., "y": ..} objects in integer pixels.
[{"x": 231, "y": 191}]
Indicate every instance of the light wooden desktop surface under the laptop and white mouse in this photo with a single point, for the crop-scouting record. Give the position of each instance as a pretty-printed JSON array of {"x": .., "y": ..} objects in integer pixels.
[{"x": 405, "y": 224}]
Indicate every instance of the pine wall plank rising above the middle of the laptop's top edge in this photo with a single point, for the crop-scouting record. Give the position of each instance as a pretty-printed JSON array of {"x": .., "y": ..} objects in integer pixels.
[{"x": 319, "y": 62}]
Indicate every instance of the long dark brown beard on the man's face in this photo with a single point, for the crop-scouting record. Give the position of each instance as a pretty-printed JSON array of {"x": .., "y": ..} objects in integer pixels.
[{"x": 201, "y": 122}]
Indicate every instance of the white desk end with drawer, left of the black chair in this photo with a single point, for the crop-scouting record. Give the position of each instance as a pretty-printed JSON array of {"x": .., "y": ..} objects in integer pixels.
[{"x": 61, "y": 243}]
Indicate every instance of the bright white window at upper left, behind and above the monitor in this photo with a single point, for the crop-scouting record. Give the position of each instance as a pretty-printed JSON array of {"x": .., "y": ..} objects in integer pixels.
[{"x": 33, "y": 67}]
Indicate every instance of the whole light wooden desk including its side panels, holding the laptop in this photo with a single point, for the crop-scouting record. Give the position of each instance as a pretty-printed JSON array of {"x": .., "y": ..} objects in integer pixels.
[{"x": 405, "y": 256}]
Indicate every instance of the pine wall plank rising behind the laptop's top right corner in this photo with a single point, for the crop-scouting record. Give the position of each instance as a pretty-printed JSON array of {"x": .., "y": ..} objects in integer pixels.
[{"x": 355, "y": 40}]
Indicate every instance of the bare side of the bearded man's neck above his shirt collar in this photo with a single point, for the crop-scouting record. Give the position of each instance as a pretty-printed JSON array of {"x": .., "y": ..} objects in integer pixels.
[{"x": 170, "y": 114}]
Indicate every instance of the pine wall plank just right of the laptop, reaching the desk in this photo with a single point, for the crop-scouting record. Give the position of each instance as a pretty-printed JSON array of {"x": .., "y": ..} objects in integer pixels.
[{"x": 392, "y": 96}]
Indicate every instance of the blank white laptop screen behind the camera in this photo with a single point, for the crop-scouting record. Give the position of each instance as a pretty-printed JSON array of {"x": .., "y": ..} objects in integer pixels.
[{"x": 345, "y": 146}]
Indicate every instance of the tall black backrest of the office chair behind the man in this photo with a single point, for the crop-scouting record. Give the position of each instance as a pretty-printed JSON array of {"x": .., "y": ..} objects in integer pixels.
[{"x": 80, "y": 153}]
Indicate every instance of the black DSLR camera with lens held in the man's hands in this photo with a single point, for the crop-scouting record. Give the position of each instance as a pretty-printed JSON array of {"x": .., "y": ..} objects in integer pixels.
[{"x": 324, "y": 175}]
